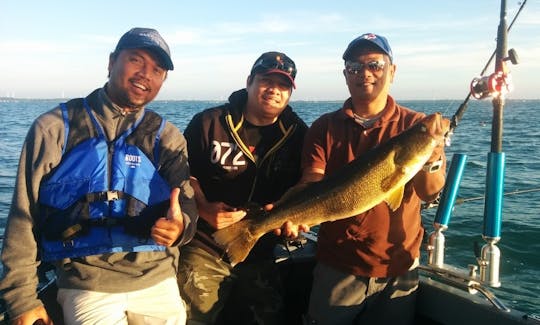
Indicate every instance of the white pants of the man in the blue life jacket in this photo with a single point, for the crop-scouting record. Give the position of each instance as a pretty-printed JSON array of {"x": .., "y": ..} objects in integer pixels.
[{"x": 160, "y": 304}]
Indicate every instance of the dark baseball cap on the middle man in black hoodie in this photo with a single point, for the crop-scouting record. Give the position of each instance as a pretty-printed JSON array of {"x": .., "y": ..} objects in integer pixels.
[{"x": 275, "y": 62}]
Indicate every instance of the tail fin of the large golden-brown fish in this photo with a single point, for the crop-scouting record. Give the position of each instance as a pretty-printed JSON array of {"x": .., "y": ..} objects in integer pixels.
[{"x": 237, "y": 240}]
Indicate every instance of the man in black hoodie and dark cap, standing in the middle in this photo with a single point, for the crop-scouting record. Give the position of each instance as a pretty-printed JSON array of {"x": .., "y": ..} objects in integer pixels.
[{"x": 243, "y": 152}]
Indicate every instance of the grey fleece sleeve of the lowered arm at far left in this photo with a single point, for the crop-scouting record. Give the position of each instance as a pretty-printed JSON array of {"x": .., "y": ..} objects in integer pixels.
[{"x": 40, "y": 153}]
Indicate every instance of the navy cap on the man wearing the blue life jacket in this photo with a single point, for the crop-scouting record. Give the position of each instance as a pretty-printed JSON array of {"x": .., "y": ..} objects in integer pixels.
[{"x": 147, "y": 38}]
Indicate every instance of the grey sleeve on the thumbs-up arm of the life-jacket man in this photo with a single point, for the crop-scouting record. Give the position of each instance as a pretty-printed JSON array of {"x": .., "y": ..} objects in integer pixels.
[{"x": 175, "y": 169}]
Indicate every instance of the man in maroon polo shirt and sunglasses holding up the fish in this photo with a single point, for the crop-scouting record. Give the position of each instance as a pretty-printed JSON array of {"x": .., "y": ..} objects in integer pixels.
[{"x": 366, "y": 265}]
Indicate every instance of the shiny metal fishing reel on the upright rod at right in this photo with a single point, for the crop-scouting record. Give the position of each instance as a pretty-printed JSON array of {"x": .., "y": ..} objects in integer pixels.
[{"x": 499, "y": 82}]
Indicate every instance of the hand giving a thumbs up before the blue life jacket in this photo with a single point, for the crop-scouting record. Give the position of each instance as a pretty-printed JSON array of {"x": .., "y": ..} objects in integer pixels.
[{"x": 166, "y": 231}]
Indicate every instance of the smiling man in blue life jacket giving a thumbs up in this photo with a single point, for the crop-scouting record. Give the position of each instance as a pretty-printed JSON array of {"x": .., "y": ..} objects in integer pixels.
[{"x": 103, "y": 193}]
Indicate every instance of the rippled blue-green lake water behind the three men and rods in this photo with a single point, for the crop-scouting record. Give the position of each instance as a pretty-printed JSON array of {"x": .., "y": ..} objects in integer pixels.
[{"x": 520, "y": 232}]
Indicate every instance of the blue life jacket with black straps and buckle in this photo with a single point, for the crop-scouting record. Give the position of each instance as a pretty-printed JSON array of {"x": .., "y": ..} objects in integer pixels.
[{"x": 101, "y": 198}]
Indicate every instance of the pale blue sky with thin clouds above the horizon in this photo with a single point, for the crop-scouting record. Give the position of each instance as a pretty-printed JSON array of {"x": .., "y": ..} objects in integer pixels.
[{"x": 52, "y": 49}]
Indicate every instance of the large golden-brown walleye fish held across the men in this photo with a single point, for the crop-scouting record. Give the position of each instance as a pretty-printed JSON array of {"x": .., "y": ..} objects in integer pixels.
[{"x": 379, "y": 175}]
